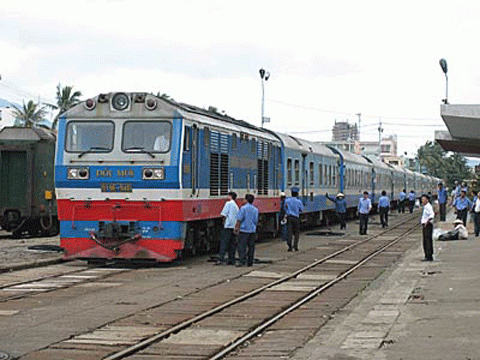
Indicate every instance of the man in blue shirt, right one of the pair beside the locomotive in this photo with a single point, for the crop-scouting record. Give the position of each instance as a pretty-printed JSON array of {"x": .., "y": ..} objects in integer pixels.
[{"x": 246, "y": 229}]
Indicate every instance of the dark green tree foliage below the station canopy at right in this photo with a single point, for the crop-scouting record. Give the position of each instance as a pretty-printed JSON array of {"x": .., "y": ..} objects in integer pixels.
[{"x": 439, "y": 163}]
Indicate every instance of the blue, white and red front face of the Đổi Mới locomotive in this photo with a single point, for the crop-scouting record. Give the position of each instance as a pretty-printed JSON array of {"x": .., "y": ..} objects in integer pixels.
[{"x": 117, "y": 178}]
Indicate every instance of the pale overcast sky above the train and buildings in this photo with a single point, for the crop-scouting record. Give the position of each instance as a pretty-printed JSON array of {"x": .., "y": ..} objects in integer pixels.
[{"x": 328, "y": 60}]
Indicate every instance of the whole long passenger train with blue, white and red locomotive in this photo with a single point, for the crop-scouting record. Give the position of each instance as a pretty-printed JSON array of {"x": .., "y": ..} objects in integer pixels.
[{"x": 141, "y": 177}]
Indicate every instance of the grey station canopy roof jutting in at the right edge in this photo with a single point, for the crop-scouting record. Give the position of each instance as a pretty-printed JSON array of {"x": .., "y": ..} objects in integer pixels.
[{"x": 463, "y": 123}]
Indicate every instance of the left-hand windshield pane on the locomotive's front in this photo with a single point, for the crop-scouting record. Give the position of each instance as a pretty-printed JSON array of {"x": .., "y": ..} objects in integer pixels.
[{"x": 89, "y": 136}]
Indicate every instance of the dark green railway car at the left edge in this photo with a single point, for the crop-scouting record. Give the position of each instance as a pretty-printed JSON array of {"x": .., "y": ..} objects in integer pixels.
[{"x": 27, "y": 190}]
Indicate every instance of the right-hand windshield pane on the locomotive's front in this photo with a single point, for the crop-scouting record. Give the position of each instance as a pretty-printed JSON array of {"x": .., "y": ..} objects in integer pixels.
[{"x": 151, "y": 136}]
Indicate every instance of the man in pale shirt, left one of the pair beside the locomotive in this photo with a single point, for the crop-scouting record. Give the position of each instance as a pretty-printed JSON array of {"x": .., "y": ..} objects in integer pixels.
[{"x": 228, "y": 238}]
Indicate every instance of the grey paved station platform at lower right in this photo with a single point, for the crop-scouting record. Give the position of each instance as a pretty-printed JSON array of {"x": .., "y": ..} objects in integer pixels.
[{"x": 416, "y": 310}]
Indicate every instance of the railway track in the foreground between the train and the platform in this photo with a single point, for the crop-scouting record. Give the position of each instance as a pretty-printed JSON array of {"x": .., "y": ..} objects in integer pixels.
[{"x": 216, "y": 321}]
